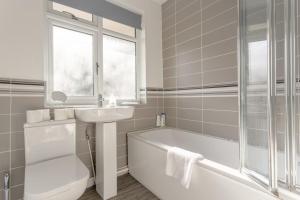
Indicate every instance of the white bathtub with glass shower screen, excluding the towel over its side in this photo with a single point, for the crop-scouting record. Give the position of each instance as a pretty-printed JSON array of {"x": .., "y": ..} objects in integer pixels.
[{"x": 214, "y": 178}]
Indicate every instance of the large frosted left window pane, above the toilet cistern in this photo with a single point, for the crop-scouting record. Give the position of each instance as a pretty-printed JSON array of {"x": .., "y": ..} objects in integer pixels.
[{"x": 72, "y": 62}]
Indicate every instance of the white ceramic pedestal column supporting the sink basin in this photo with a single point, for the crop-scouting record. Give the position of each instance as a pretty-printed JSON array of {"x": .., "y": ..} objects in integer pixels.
[{"x": 106, "y": 159}]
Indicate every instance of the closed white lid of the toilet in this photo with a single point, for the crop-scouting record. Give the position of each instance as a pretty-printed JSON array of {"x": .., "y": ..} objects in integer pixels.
[{"x": 54, "y": 176}]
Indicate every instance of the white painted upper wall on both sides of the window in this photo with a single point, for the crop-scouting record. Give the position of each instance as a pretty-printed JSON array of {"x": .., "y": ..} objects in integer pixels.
[{"x": 21, "y": 39}]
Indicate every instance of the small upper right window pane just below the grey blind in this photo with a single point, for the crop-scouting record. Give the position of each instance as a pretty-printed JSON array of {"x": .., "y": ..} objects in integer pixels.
[{"x": 118, "y": 27}]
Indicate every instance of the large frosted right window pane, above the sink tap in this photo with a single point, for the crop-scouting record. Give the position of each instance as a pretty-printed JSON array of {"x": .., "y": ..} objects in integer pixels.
[{"x": 119, "y": 68}]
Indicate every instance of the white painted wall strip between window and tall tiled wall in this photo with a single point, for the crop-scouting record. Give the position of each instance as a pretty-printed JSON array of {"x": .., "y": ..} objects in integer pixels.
[{"x": 152, "y": 23}]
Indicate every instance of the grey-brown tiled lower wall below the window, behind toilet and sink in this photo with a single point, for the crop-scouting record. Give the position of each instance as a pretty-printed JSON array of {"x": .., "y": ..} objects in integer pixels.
[{"x": 18, "y": 96}]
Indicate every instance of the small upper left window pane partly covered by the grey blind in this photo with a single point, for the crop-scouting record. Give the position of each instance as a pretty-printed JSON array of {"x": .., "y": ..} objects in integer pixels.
[{"x": 77, "y": 13}]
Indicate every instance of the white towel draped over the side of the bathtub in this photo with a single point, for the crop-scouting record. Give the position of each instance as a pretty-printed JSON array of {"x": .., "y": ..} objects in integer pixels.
[{"x": 180, "y": 164}]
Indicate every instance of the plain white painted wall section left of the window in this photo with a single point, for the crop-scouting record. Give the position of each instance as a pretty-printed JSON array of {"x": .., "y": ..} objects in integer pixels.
[{"x": 21, "y": 39}]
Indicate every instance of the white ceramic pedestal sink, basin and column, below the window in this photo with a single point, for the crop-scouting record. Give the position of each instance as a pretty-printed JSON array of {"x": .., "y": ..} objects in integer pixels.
[{"x": 105, "y": 119}]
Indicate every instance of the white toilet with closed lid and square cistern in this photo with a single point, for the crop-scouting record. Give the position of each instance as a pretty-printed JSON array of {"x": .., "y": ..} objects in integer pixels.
[{"x": 53, "y": 171}]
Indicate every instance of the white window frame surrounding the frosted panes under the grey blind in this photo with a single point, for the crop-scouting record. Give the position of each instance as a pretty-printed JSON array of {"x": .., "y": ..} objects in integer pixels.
[{"x": 95, "y": 28}]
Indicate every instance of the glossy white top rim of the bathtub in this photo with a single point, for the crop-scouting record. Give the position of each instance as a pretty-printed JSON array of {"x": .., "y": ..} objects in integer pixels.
[{"x": 213, "y": 166}]
